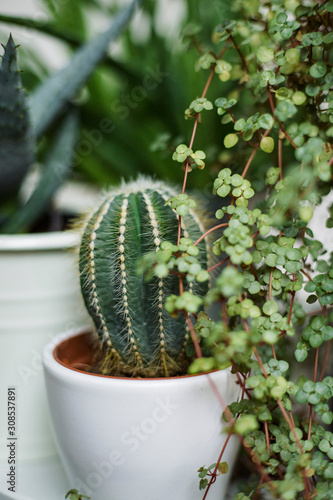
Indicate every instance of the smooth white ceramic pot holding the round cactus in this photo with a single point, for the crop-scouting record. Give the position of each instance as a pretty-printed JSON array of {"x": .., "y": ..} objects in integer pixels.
[{"x": 132, "y": 438}]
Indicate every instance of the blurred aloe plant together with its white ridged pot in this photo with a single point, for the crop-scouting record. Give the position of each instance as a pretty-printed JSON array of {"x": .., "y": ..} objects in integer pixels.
[{"x": 37, "y": 261}]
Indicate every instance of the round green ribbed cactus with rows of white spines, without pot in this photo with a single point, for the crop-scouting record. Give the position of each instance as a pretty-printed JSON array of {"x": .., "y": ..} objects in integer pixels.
[{"x": 138, "y": 336}]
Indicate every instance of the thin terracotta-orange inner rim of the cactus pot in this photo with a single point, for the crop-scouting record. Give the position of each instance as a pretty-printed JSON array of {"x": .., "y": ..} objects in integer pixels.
[{"x": 131, "y": 379}]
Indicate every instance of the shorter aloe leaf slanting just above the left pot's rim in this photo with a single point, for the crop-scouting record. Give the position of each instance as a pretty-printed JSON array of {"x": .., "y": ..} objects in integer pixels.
[{"x": 57, "y": 167}]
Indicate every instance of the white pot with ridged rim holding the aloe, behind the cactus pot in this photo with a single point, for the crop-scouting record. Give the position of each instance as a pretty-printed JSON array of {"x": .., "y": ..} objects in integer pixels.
[{"x": 39, "y": 297}]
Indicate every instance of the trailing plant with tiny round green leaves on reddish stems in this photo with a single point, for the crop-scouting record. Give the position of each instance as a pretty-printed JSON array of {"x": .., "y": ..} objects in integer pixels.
[{"x": 277, "y": 127}]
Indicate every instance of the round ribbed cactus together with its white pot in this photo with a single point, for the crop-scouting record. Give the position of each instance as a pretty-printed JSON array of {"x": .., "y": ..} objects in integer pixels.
[{"x": 154, "y": 416}]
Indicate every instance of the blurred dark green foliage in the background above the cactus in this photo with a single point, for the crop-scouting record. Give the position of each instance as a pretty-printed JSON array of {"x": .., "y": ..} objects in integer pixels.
[{"x": 147, "y": 112}]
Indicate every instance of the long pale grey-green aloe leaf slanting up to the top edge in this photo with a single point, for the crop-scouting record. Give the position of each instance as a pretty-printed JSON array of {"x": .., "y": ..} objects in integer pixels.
[{"x": 49, "y": 98}]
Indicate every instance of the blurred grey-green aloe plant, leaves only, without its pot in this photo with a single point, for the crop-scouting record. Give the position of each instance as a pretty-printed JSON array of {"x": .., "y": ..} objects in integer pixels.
[{"x": 22, "y": 123}]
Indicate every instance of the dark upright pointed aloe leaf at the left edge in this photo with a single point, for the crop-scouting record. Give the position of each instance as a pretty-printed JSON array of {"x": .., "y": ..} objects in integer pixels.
[{"x": 16, "y": 142}]
